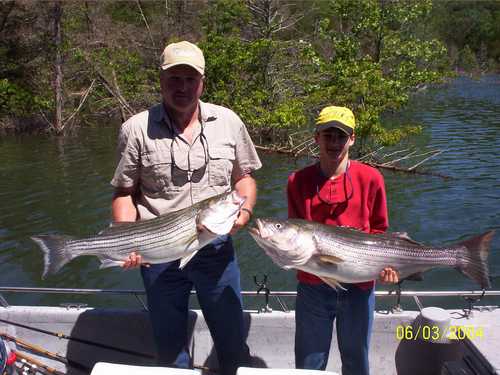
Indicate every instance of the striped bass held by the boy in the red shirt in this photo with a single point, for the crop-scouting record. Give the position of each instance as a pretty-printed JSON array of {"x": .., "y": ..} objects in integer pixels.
[{"x": 340, "y": 254}]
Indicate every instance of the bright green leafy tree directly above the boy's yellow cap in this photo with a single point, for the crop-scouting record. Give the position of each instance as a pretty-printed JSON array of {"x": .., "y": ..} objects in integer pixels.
[{"x": 372, "y": 56}]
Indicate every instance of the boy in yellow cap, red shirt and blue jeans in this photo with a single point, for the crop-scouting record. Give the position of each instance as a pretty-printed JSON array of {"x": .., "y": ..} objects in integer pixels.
[{"x": 343, "y": 192}]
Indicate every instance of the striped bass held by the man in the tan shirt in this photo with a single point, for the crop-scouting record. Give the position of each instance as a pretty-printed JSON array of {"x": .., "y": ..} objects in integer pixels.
[{"x": 176, "y": 235}]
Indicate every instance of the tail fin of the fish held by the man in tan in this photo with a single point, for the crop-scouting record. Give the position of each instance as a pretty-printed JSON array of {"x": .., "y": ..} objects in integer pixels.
[{"x": 56, "y": 254}]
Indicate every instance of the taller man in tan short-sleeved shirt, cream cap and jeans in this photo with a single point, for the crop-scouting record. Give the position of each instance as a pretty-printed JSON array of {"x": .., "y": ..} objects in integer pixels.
[{"x": 172, "y": 156}]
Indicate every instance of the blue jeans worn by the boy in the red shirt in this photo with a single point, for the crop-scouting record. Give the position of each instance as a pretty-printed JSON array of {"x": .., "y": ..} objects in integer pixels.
[{"x": 317, "y": 307}]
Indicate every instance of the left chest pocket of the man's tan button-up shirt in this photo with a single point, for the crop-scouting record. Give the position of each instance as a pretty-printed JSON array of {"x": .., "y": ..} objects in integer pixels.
[{"x": 156, "y": 173}]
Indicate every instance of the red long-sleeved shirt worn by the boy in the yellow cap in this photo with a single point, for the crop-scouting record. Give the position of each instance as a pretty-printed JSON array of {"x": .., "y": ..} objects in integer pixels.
[{"x": 354, "y": 199}]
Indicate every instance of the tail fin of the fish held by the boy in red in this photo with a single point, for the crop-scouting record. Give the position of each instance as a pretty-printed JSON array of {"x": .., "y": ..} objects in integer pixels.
[{"x": 473, "y": 262}]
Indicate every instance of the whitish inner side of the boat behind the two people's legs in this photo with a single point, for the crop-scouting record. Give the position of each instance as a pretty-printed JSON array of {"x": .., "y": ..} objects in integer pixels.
[{"x": 270, "y": 337}]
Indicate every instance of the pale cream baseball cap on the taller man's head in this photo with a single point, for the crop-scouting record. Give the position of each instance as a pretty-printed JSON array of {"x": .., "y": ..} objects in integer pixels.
[{"x": 183, "y": 53}]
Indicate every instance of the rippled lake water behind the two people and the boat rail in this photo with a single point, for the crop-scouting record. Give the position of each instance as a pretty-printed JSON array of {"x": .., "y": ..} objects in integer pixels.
[{"x": 61, "y": 185}]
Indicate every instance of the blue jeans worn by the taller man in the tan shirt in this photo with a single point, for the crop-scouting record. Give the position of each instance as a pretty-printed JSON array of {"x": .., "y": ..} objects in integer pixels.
[{"x": 215, "y": 275}]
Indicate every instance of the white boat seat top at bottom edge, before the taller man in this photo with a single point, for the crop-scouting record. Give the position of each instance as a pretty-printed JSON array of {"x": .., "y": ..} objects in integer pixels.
[{"x": 105, "y": 368}]
